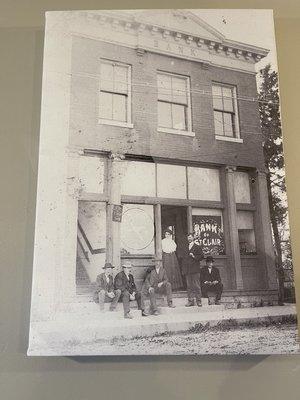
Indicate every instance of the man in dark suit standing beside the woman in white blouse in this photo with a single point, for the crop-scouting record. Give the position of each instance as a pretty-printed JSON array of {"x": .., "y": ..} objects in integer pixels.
[{"x": 191, "y": 270}]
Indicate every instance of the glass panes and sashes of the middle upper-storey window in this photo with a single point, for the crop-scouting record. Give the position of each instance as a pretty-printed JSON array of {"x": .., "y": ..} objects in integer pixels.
[{"x": 173, "y": 102}]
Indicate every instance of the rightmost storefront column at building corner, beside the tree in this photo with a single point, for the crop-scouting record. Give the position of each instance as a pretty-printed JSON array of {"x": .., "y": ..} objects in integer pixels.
[{"x": 264, "y": 231}]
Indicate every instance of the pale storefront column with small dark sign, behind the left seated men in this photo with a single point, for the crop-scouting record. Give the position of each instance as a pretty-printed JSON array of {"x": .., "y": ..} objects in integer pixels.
[{"x": 113, "y": 225}]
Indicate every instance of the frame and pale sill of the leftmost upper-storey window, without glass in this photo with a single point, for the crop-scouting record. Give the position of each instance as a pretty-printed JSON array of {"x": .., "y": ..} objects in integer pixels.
[{"x": 128, "y": 123}]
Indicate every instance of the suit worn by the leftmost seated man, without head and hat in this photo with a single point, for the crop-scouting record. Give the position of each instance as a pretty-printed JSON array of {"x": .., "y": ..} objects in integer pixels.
[{"x": 105, "y": 286}]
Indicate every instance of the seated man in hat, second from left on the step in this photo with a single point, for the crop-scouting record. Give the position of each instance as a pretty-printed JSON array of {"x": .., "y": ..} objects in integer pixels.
[{"x": 124, "y": 282}]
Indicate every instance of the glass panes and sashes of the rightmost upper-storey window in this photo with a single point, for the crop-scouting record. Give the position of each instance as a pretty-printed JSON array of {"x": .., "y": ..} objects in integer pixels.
[{"x": 225, "y": 111}]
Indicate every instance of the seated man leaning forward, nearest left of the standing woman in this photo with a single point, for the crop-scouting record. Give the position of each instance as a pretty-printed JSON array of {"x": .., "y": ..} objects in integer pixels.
[{"x": 156, "y": 282}]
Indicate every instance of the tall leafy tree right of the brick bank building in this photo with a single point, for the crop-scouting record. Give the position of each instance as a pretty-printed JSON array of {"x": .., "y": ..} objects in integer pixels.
[{"x": 274, "y": 163}]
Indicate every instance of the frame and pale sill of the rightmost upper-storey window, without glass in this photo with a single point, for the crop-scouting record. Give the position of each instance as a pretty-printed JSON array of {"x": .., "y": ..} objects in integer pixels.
[{"x": 234, "y": 114}]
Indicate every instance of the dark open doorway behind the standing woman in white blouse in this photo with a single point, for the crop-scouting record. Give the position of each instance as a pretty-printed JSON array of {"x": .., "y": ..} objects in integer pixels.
[{"x": 174, "y": 218}]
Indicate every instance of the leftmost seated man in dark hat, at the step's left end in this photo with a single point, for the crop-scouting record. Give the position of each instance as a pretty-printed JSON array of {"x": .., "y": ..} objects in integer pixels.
[{"x": 105, "y": 291}]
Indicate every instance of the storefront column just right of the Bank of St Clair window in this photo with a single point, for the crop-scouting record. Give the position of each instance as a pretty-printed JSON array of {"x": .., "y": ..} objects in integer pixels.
[{"x": 233, "y": 230}]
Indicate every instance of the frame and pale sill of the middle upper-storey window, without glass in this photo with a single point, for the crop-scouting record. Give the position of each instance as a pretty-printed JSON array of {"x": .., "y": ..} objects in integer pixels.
[{"x": 187, "y": 108}]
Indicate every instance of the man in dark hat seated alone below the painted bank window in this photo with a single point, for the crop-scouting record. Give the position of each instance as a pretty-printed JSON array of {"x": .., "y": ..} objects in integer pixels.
[{"x": 211, "y": 280}]
